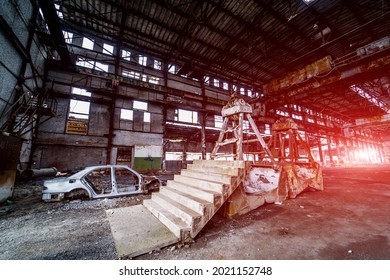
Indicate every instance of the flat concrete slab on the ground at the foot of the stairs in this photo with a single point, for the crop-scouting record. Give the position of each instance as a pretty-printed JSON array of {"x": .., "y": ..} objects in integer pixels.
[{"x": 136, "y": 231}]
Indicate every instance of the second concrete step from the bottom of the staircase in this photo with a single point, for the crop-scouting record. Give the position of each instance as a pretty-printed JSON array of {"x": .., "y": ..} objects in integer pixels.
[{"x": 188, "y": 215}]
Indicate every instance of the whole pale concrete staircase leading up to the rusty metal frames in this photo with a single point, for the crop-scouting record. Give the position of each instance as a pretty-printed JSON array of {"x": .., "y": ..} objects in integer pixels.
[{"x": 191, "y": 199}]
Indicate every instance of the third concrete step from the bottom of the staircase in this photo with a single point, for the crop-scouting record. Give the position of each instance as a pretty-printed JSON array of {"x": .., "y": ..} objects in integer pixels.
[{"x": 192, "y": 202}]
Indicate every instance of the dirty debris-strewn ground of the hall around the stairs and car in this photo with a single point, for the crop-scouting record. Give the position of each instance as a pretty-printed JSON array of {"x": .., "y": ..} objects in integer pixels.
[{"x": 350, "y": 219}]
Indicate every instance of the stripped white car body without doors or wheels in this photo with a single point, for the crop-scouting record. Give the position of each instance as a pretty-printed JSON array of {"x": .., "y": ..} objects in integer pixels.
[{"x": 99, "y": 182}]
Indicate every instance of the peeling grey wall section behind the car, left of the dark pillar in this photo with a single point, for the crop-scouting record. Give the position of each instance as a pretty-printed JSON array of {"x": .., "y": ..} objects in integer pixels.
[{"x": 56, "y": 148}]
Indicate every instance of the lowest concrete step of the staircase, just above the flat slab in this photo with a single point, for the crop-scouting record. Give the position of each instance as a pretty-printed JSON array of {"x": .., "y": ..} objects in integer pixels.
[{"x": 172, "y": 222}]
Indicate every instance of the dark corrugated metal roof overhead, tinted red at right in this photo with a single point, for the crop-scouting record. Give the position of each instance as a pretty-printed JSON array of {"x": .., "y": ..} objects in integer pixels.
[{"x": 246, "y": 42}]
